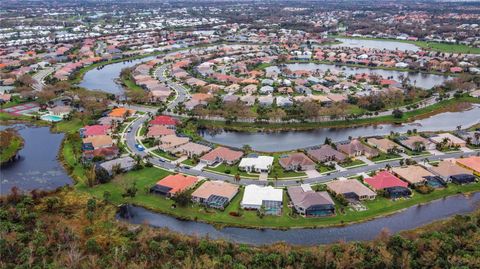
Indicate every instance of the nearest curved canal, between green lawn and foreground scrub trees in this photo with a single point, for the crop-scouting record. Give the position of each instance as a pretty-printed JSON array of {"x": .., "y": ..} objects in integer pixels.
[{"x": 410, "y": 218}]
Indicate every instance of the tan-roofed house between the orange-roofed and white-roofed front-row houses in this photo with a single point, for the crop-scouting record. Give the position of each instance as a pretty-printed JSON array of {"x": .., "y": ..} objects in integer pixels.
[{"x": 215, "y": 194}]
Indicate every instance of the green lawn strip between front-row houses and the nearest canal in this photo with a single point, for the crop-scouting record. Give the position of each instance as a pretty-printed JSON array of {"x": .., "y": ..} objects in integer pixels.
[{"x": 147, "y": 177}]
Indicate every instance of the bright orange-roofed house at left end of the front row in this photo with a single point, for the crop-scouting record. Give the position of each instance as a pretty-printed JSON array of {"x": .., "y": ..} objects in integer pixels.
[{"x": 174, "y": 184}]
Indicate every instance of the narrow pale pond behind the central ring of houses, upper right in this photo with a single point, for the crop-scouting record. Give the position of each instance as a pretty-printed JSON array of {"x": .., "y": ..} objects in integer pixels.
[{"x": 422, "y": 80}]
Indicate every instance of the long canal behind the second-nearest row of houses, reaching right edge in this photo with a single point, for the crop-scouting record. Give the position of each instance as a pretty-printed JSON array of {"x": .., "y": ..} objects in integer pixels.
[{"x": 290, "y": 140}]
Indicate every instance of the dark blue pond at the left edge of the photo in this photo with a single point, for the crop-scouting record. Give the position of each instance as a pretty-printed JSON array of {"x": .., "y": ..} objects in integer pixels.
[{"x": 37, "y": 167}]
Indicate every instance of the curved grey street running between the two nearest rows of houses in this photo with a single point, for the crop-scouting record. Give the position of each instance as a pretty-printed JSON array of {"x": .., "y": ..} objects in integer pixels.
[{"x": 135, "y": 125}]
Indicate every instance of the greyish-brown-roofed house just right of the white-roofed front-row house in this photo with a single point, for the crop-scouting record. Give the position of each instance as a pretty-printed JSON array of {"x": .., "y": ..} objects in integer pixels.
[{"x": 309, "y": 203}]
